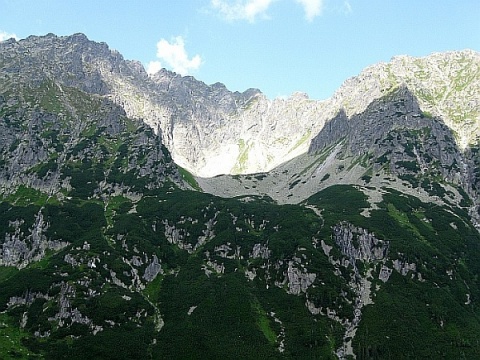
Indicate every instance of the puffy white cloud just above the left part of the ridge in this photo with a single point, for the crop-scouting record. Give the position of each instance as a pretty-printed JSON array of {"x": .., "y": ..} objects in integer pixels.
[{"x": 175, "y": 56}]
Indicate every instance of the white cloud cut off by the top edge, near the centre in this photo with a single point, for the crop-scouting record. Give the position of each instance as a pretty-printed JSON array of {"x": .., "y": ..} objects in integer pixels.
[{"x": 242, "y": 9}]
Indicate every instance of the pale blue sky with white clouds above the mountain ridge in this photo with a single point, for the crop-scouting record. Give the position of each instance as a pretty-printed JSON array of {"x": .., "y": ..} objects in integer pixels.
[{"x": 277, "y": 46}]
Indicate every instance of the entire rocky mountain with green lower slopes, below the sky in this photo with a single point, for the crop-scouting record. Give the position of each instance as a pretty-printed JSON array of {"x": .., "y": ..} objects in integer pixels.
[{"x": 336, "y": 229}]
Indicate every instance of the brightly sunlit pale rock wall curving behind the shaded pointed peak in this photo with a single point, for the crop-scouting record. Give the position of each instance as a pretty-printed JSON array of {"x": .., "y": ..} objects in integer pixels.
[{"x": 264, "y": 133}]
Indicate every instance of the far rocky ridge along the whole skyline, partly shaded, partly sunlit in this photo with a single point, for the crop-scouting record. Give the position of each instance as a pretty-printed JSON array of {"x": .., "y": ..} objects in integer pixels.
[{"x": 210, "y": 130}]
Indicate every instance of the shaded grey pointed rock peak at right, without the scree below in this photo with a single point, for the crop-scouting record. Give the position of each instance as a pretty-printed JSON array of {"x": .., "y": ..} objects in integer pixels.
[{"x": 394, "y": 132}]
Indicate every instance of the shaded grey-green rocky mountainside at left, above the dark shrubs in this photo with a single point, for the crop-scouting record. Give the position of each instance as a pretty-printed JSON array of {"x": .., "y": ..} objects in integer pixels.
[{"x": 59, "y": 120}]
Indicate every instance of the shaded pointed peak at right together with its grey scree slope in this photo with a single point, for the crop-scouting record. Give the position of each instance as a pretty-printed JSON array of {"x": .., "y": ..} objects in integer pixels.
[{"x": 391, "y": 143}]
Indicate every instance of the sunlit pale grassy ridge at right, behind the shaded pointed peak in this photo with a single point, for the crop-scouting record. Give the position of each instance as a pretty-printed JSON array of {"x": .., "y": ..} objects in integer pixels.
[{"x": 445, "y": 85}]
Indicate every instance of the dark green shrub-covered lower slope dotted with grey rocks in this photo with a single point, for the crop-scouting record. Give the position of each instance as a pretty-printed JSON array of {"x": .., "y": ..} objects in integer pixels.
[{"x": 180, "y": 274}]
